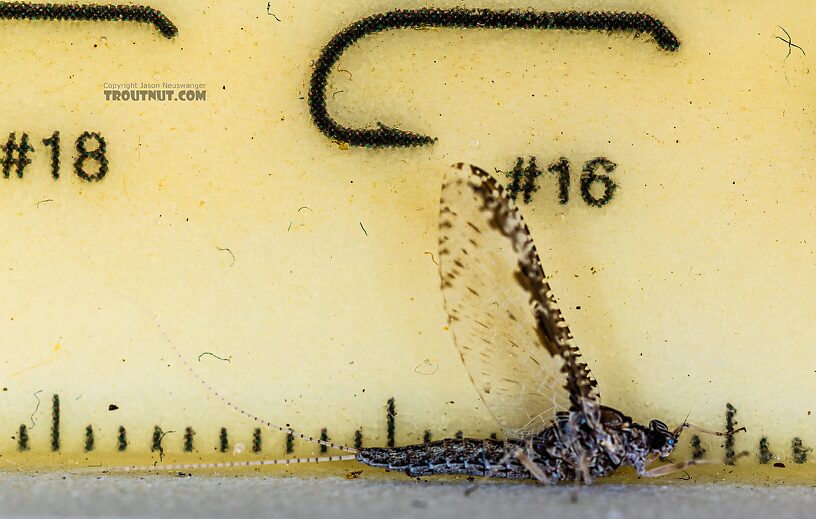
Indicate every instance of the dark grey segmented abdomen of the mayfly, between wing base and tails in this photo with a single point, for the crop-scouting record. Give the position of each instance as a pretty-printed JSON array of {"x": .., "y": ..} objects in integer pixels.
[{"x": 470, "y": 457}]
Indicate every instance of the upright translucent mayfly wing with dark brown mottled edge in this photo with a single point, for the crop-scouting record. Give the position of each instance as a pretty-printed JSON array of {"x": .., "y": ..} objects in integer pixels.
[{"x": 505, "y": 321}]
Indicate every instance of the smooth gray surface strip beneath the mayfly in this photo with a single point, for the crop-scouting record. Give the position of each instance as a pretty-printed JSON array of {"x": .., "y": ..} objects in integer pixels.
[{"x": 199, "y": 496}]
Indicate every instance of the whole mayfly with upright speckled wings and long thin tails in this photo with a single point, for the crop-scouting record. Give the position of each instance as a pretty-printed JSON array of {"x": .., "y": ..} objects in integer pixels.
[{"x": 520, "y": 355}]
